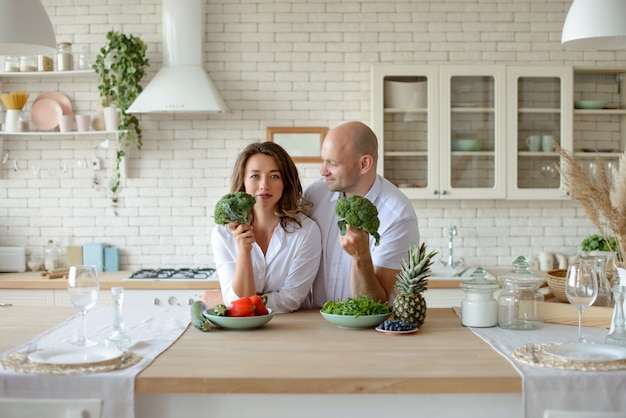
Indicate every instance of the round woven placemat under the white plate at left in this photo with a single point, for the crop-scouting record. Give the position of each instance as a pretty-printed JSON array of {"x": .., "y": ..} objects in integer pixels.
[{"x": 15, "y": 362}]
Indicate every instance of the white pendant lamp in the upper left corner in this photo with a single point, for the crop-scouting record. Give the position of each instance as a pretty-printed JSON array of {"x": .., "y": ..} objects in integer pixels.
[{"x": 25, "y": 28}]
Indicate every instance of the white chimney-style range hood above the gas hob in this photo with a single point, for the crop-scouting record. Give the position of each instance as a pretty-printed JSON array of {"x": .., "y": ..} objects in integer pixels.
[{"x": 182, "y": 85}]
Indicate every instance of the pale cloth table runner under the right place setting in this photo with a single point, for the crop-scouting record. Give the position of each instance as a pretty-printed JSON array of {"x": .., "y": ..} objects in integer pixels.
[{"x": 548, "y": 388}]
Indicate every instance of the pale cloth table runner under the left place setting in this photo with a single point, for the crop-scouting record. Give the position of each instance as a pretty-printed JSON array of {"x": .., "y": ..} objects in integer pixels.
[{"x": 152, "y": 329}]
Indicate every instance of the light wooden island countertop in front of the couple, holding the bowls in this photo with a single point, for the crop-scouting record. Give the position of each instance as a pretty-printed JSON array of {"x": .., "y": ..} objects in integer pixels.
[{"x": 302, "y": 353}]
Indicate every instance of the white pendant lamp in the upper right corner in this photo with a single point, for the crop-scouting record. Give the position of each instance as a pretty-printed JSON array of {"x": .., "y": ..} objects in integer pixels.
[{"x": 595, "y": 24}]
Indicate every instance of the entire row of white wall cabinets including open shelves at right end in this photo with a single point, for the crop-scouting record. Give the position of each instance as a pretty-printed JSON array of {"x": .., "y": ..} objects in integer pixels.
[{"x": 418, "y": 112}]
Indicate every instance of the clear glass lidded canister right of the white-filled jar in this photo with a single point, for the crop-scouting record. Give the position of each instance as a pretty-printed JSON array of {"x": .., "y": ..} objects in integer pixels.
[{"x": 520, "y": 304}]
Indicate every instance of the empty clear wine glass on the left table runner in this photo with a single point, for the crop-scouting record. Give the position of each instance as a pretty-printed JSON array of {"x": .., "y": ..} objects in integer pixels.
[{"x": 83, "y": 288}]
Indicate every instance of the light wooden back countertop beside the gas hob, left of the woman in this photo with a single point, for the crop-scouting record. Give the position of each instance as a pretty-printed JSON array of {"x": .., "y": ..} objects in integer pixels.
[{"x": 34, "y": 280}]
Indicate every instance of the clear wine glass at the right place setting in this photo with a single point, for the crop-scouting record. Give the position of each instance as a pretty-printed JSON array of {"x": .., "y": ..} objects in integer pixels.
[{"x": 581, "y": 289}]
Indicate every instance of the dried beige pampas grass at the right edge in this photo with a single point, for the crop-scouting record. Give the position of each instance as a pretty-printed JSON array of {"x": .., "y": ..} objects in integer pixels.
[{"x": 603, "y": 197}]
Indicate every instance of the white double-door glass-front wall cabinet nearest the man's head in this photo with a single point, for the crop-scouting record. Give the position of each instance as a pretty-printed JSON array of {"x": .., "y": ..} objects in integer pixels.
[{"x": 421, "y": 114}]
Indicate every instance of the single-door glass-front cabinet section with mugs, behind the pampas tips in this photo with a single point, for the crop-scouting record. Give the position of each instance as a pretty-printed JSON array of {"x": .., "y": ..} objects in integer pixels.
[{"x": 539, "y": 112}]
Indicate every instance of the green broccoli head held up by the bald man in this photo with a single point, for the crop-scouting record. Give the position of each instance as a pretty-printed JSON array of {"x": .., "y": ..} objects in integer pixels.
[{"x": 358, "y": 212}]
